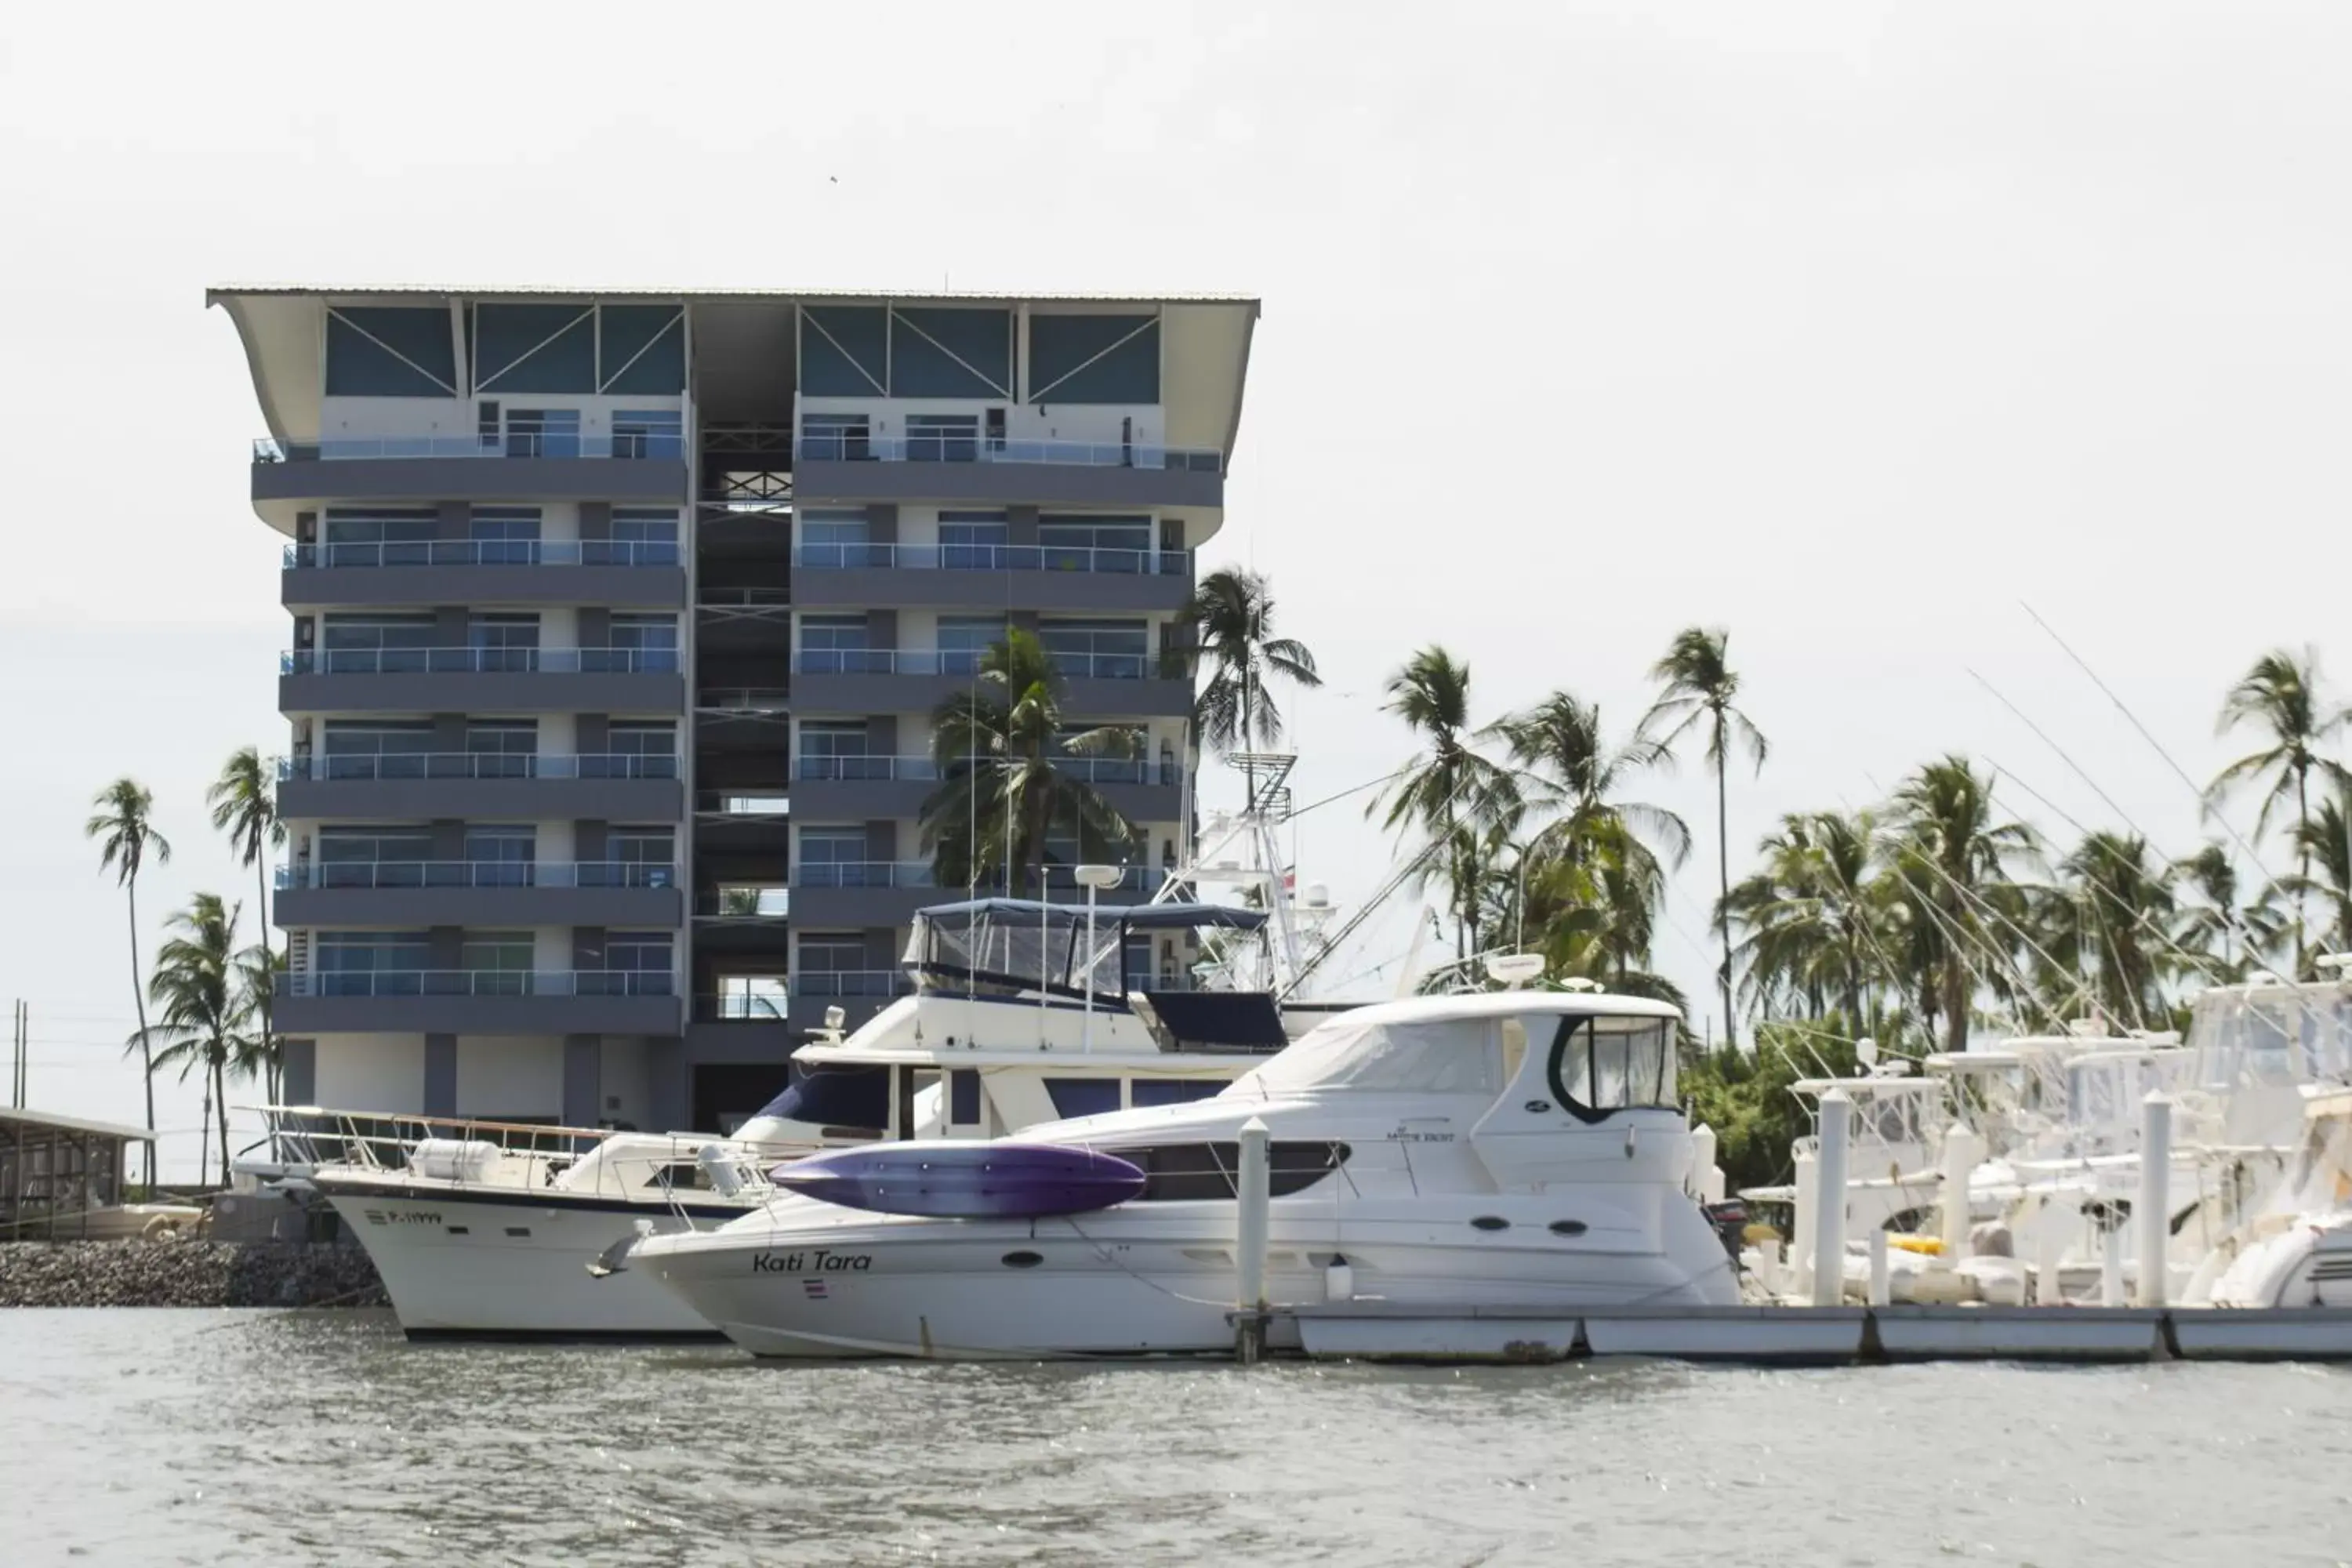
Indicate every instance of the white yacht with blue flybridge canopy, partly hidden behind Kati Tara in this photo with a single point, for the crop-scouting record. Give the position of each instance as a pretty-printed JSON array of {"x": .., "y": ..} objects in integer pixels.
[{"x": 1020, "y": 1014}]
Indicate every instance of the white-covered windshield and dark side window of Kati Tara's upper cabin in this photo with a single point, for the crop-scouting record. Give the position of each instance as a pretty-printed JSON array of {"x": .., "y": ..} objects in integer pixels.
[{"x": 1596, "y": 1061}]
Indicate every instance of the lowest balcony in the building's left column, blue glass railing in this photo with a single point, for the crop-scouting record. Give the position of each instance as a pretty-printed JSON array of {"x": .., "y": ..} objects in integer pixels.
[{"x": 479, "y": 1003}]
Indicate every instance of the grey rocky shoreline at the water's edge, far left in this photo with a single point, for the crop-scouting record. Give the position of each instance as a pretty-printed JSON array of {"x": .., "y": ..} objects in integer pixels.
[{"x": 187, "y": 1275}]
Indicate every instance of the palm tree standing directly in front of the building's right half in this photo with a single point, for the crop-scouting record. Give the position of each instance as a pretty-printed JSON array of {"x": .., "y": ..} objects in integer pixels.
[{"x": 1001, "y": 753}]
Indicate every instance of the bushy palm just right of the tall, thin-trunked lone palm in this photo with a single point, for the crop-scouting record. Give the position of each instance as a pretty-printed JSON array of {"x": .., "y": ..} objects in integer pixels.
[{"x": 1815, "y": 918}]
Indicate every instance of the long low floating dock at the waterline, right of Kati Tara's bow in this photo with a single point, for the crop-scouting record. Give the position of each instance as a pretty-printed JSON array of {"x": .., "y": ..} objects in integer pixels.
[{"x": 1815, "y": 1336}]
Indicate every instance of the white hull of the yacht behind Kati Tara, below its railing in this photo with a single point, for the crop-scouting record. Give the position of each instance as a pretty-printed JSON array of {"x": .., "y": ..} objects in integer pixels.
[{"x": 486, "y": 1266}]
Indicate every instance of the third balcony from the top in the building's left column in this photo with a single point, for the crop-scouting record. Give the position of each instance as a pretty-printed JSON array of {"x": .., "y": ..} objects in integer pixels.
[{"x": 481, "y": 681}]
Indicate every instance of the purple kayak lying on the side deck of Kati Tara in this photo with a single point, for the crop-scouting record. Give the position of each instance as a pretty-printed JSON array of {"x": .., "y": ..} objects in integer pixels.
[{"x": 965, "y": 1181}]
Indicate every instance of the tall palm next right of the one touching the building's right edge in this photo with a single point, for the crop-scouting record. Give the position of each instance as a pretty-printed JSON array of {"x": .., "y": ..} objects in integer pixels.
[{"x": 1450, "y": 791}]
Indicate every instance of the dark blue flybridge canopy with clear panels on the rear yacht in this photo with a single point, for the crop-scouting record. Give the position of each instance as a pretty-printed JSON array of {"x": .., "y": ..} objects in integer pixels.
[{"x": 1024, "y": 944}]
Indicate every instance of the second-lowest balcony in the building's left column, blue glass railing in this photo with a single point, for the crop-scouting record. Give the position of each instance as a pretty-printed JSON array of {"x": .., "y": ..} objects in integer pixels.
[{"x": 410, "y": 894}]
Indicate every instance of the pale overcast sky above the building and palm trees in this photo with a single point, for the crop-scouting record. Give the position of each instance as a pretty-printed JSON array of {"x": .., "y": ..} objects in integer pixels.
[{"x": 1847, "y": 328}]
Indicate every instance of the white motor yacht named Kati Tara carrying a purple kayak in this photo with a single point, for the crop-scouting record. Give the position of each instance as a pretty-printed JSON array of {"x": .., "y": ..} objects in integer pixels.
[{"x": 1509, "y": 1148}]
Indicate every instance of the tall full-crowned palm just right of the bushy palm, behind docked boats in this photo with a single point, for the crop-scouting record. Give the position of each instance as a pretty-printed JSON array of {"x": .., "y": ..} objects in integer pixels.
[{"x": 1953, "y": 859}]
